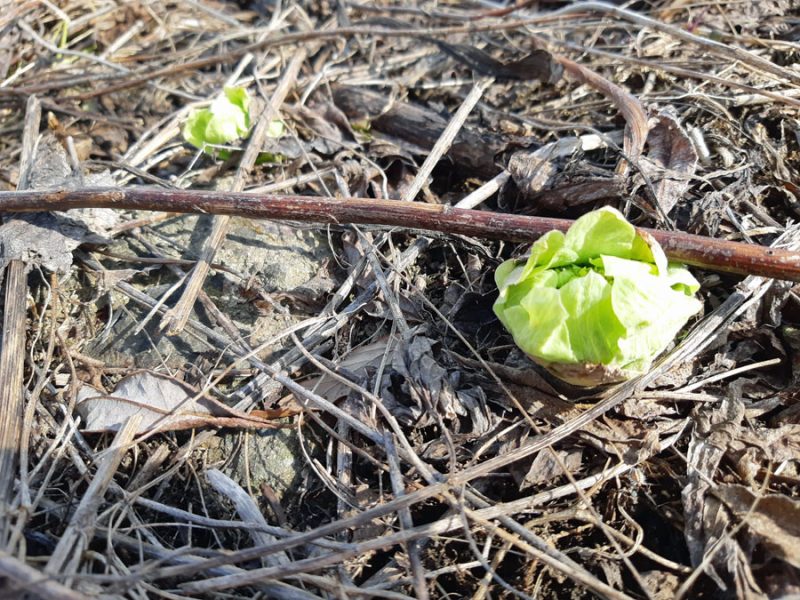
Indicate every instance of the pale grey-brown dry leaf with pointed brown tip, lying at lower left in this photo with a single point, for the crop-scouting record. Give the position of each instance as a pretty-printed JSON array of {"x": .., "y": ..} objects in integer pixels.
[{"x": 164, "y": 403}]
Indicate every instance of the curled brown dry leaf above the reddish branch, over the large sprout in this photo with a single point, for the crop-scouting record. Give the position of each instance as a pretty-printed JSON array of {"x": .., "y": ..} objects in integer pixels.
[{"x": 671, "y": 160}]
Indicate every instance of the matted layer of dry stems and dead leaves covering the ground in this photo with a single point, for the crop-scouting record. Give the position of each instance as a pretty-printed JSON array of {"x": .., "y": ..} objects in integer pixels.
[{"x": 429, "y": 457}]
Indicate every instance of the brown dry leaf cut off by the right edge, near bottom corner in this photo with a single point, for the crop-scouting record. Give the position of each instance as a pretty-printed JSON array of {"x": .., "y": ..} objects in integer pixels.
[{"x": 774, "y": 519}]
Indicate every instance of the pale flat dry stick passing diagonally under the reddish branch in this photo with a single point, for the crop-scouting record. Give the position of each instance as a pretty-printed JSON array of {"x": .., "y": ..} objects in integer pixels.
[{"x": 175, "y": 319}]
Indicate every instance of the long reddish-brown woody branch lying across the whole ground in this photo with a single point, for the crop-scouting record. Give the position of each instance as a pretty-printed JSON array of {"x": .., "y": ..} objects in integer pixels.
[{"x": 709, "y": 253}]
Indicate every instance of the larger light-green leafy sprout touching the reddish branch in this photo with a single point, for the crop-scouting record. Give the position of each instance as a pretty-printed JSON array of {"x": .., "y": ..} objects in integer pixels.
[{"x": 595, "y": 305}]
